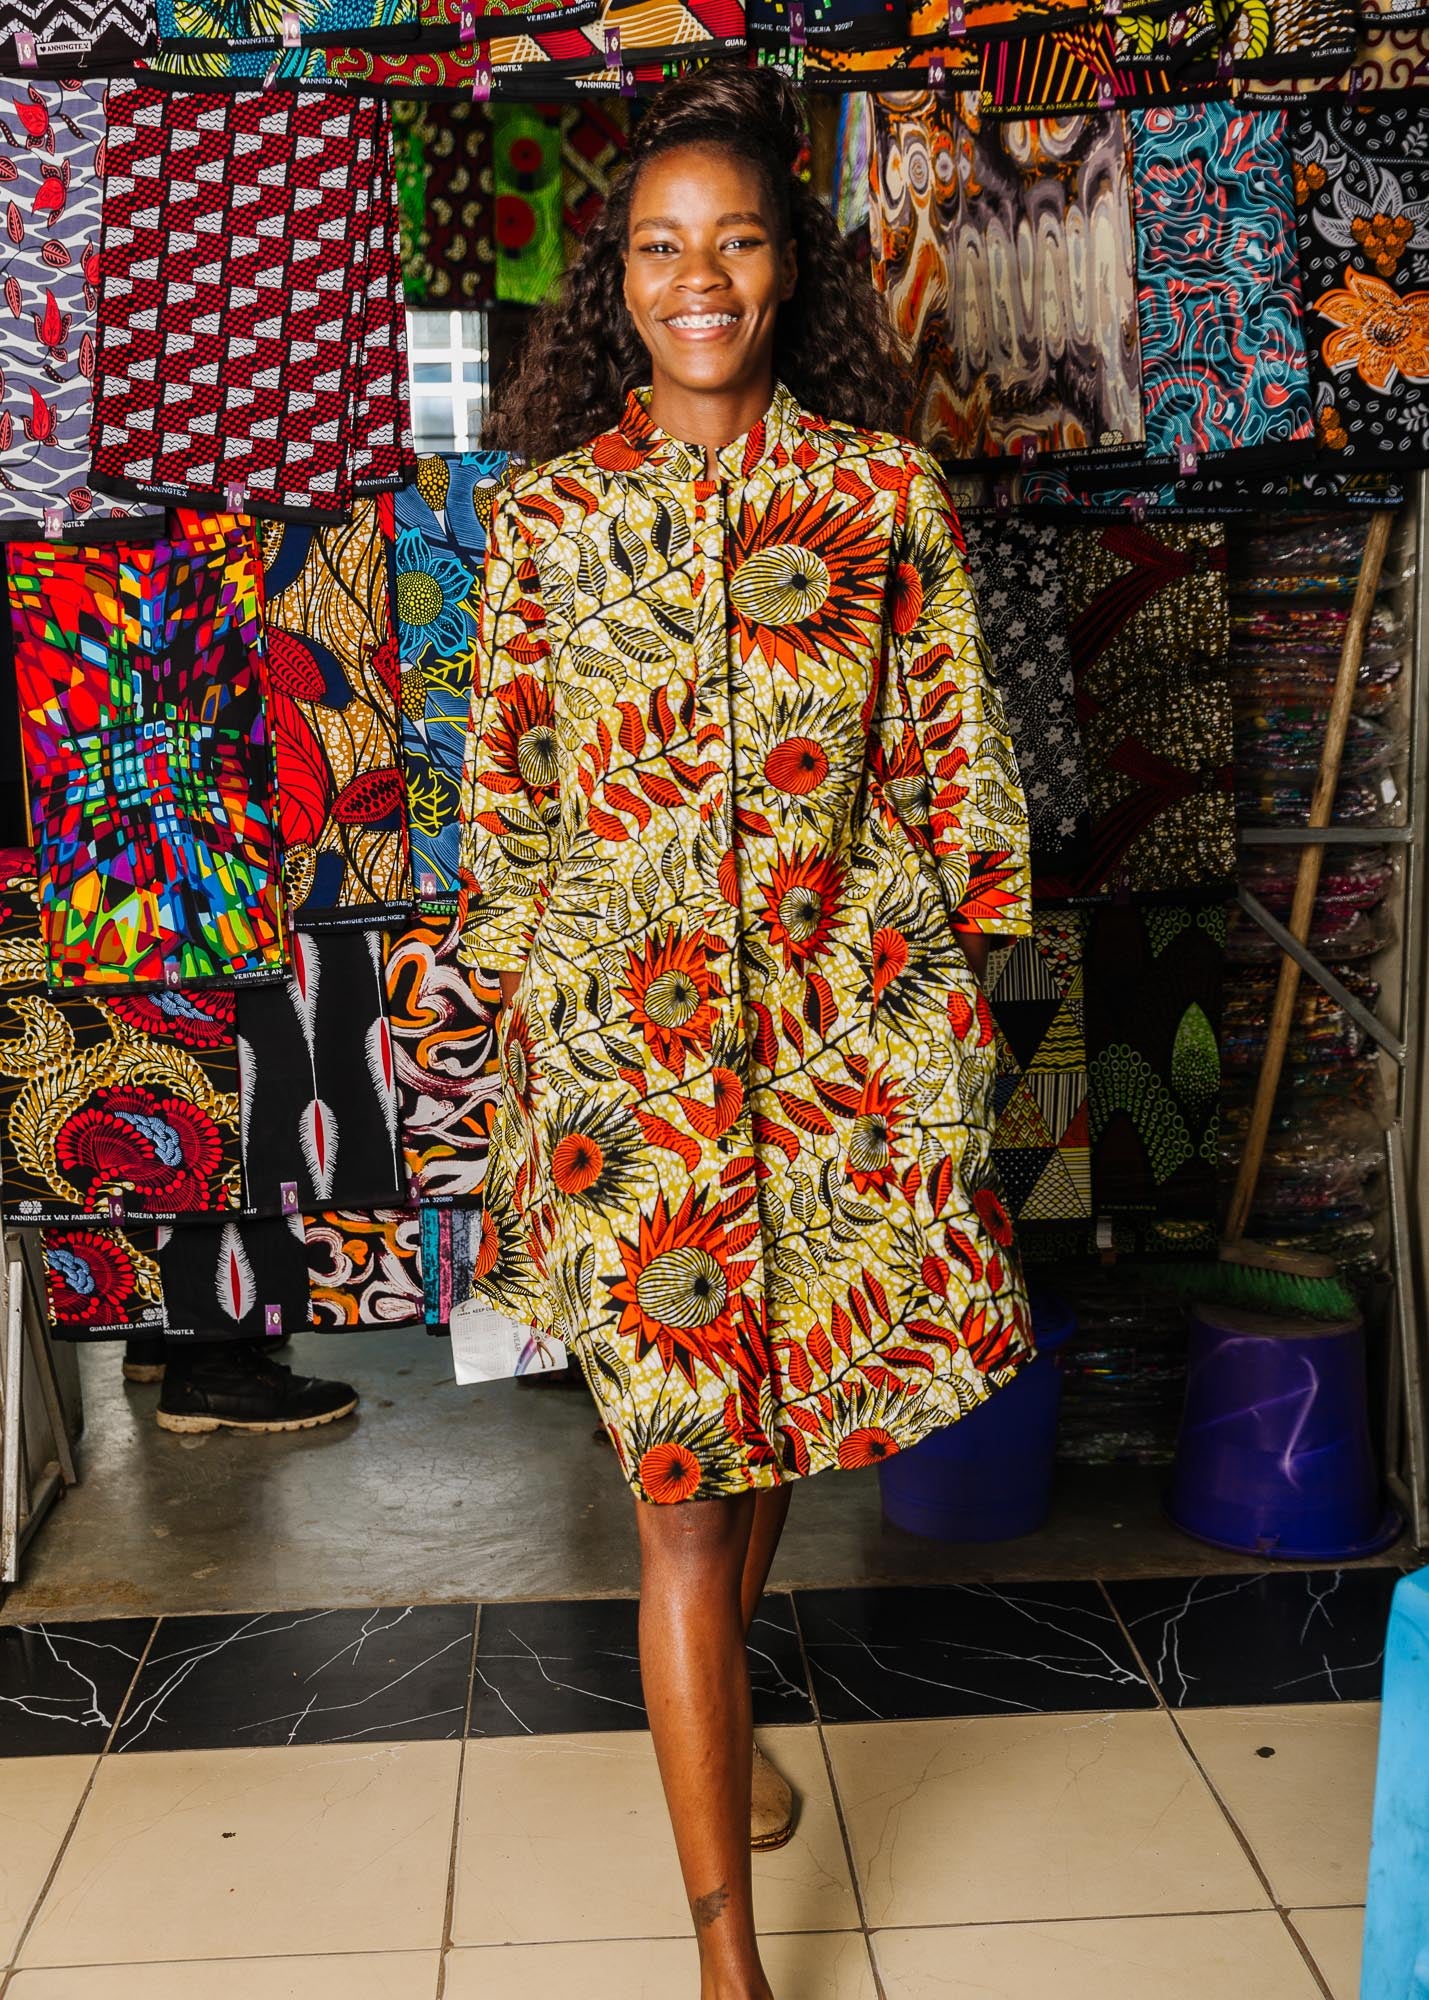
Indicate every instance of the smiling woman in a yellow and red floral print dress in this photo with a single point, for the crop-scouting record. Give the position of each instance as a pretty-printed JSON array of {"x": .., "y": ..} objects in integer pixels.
[{"x": 740, "y": 811}]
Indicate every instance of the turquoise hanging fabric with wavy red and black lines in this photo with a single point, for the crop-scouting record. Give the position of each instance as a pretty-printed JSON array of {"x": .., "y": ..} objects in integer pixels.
[{"x": 1218, "y": 289}]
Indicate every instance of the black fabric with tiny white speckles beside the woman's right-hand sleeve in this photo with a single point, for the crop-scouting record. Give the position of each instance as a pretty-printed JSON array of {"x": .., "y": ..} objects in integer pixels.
[{"x": 1018, "y": 583}]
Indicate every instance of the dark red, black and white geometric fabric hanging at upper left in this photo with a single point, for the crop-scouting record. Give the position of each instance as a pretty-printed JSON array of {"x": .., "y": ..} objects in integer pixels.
[{"x": 251, "y": 323}]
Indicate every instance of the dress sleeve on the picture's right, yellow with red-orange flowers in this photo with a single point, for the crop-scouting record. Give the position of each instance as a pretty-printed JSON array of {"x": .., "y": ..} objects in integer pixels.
[{"x": 942, "y": 749}]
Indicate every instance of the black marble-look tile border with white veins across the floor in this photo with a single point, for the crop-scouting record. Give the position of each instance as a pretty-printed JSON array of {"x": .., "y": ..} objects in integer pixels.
[{"x": 41, "y": 1719}]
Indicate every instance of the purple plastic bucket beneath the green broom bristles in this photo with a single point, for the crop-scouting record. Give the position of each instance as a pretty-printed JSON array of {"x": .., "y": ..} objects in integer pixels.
[{"x": 1274, "y": 1455}]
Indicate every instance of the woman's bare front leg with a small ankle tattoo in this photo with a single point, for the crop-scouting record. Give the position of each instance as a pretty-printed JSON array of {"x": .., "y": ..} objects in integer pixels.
[{"x": 695, "y": 1673}]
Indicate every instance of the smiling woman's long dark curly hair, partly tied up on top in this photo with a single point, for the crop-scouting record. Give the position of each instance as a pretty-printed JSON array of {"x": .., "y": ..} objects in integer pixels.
[{"x": 583, "y": 357}]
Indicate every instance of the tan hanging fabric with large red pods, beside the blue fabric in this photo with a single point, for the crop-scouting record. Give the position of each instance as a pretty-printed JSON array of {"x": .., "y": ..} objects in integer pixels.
[{"x": 333, "y": 703}]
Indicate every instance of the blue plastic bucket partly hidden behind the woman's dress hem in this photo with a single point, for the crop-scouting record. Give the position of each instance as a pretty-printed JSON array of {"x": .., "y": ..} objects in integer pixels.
[{"x": 990, "y": 1475}]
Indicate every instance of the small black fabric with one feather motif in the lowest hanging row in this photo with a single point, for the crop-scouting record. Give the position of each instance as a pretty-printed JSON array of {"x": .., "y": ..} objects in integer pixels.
[{"x": 237, "y": 1281}]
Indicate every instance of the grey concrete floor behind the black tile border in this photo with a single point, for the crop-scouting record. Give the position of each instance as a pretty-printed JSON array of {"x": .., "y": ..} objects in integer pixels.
[{"x": 453, "y": 1495}]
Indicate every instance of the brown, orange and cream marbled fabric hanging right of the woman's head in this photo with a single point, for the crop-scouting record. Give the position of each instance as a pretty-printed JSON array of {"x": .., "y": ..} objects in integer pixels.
[{"x": 1006, "y": 369}]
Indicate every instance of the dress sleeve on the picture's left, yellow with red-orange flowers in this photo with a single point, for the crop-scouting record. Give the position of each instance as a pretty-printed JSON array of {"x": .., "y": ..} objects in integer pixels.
[{"x": 511, "y": 801}]
